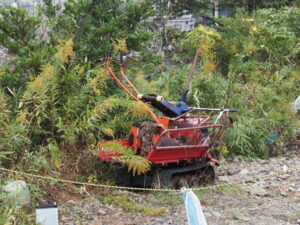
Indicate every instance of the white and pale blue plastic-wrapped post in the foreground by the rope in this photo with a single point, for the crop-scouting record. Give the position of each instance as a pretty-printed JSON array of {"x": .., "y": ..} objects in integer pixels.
[{"x": 193, "y": 208}]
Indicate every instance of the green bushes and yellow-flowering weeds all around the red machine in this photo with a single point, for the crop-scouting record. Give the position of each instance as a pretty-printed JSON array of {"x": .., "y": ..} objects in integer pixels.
[{"x": 57, "y": 101}]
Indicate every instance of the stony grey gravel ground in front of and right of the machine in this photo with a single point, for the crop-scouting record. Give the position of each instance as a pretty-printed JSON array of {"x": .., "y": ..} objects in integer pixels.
[{"x": 274, "y": 200}]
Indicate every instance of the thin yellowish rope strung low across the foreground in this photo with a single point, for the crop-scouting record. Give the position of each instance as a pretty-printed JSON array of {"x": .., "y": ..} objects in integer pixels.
[{"x": 239, "y": 182}]
